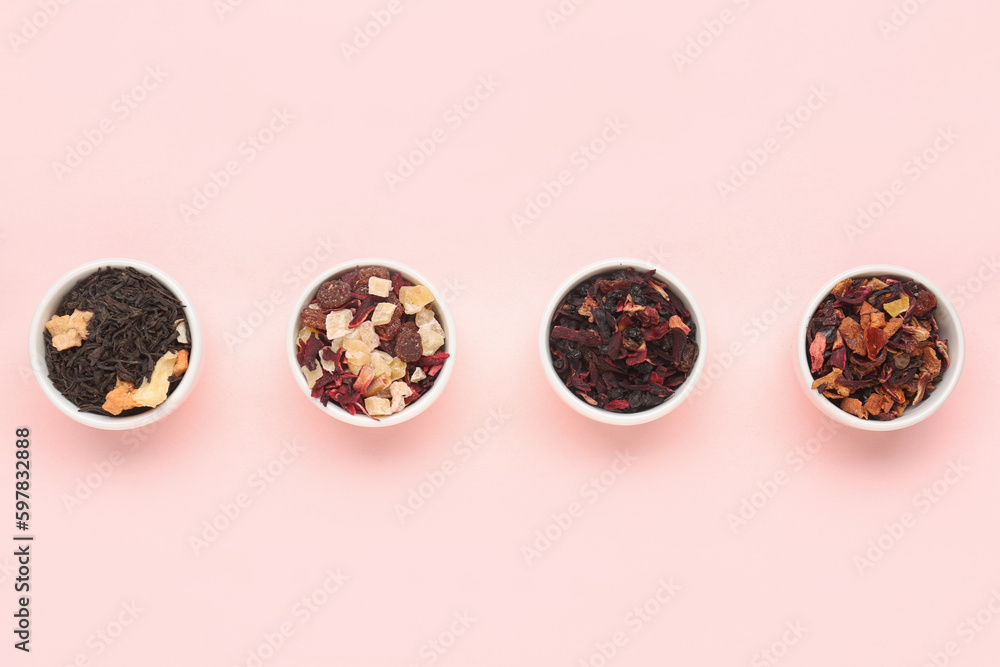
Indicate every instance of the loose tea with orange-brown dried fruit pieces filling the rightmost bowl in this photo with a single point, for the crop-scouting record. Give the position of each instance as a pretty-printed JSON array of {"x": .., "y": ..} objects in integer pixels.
[{"x": 874, "y": 347}]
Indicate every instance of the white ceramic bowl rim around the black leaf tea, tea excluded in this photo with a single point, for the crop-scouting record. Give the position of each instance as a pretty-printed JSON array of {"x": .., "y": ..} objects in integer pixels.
[{"x": 36, "y": 349}]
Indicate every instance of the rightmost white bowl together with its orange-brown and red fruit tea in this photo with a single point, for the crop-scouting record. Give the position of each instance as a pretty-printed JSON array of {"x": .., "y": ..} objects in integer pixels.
[{"x": 880, "y": 348}]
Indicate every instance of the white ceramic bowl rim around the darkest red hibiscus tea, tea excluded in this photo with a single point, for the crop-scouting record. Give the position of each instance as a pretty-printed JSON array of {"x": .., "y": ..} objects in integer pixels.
[{"x": 599, "y": 414}]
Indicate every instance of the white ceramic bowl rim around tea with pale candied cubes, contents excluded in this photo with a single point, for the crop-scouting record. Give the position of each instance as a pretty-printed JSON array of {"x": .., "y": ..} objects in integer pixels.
[{"x": 443, "y": 316}]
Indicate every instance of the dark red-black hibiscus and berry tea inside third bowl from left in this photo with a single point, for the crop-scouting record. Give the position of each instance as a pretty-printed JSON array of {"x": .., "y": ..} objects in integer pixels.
[{"x": 623, "y": 341}]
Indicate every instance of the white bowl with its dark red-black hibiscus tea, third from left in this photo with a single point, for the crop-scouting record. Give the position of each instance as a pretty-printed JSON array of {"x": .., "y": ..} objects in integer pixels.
[{"x": 622, "y": 342}]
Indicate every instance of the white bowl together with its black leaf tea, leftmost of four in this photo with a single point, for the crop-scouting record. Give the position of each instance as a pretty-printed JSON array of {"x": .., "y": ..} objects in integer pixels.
[{"x": 115, "y": 344}]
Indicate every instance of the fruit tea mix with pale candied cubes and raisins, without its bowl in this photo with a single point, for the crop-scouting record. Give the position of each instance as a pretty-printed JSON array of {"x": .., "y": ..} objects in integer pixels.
[{"x": 370, "y": 342}]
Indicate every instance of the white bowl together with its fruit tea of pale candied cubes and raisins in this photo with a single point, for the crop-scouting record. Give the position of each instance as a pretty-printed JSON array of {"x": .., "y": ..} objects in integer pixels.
[{"x": 371, "y": 343}]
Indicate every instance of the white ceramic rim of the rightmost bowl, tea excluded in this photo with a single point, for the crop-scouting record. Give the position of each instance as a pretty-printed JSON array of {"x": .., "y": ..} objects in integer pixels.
[{"x": 949, "y": 328}]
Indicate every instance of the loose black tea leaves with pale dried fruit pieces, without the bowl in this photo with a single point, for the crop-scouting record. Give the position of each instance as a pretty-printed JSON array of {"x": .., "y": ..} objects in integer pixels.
[{"x": 120, "y": 344}]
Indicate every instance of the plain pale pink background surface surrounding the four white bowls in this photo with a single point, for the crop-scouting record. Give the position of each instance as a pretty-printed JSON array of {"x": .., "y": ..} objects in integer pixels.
[{"x": 652, "y": 194}]
